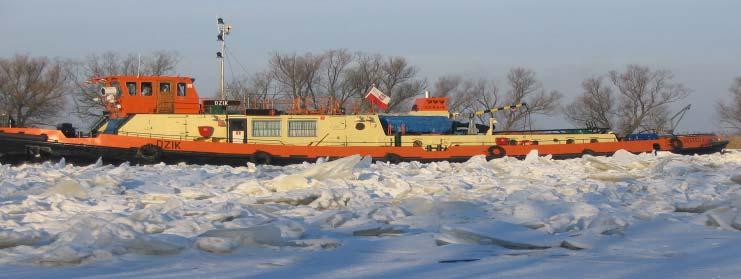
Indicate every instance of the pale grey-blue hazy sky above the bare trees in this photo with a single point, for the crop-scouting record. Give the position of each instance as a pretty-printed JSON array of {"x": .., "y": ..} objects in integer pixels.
[{"x": 564, "y": 41}]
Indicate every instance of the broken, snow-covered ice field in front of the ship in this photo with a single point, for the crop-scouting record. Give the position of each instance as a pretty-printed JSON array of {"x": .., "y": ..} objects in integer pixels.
[{"x": 639, "y": 216}]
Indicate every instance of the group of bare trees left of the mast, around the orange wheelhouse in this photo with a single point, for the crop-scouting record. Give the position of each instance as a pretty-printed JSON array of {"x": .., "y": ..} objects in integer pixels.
[{"x": 35, "y": 90}]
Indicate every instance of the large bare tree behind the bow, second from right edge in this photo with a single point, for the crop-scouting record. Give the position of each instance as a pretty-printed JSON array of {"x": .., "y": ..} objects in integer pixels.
[{"x": 644, "y": 97}]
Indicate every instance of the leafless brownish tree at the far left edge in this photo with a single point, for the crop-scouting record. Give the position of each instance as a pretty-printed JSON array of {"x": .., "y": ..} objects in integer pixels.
[{"x": 32, "y": 89}]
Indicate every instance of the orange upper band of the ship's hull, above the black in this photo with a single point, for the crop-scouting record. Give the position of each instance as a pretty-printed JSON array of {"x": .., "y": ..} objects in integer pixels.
[{"x": 312, "y": 152}]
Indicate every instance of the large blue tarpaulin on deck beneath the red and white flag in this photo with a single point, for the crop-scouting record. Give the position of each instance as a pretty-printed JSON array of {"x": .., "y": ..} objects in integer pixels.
[{"x": 417, "y": 124}]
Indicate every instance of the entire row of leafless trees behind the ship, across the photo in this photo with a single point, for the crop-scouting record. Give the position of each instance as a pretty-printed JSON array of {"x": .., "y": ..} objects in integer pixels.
[{"x": 33, "y": 90}]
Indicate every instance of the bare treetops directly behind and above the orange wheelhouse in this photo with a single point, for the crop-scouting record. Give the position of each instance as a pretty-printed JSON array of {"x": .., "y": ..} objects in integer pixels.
[{"x": 110, "y": 63}]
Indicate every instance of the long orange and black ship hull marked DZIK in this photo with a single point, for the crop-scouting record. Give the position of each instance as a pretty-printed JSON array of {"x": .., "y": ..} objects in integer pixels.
[{"x": 23, "y": 144}]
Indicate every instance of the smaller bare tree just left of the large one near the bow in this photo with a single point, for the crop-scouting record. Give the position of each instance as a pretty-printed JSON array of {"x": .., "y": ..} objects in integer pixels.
[{"x": 595, "y": 107}]
